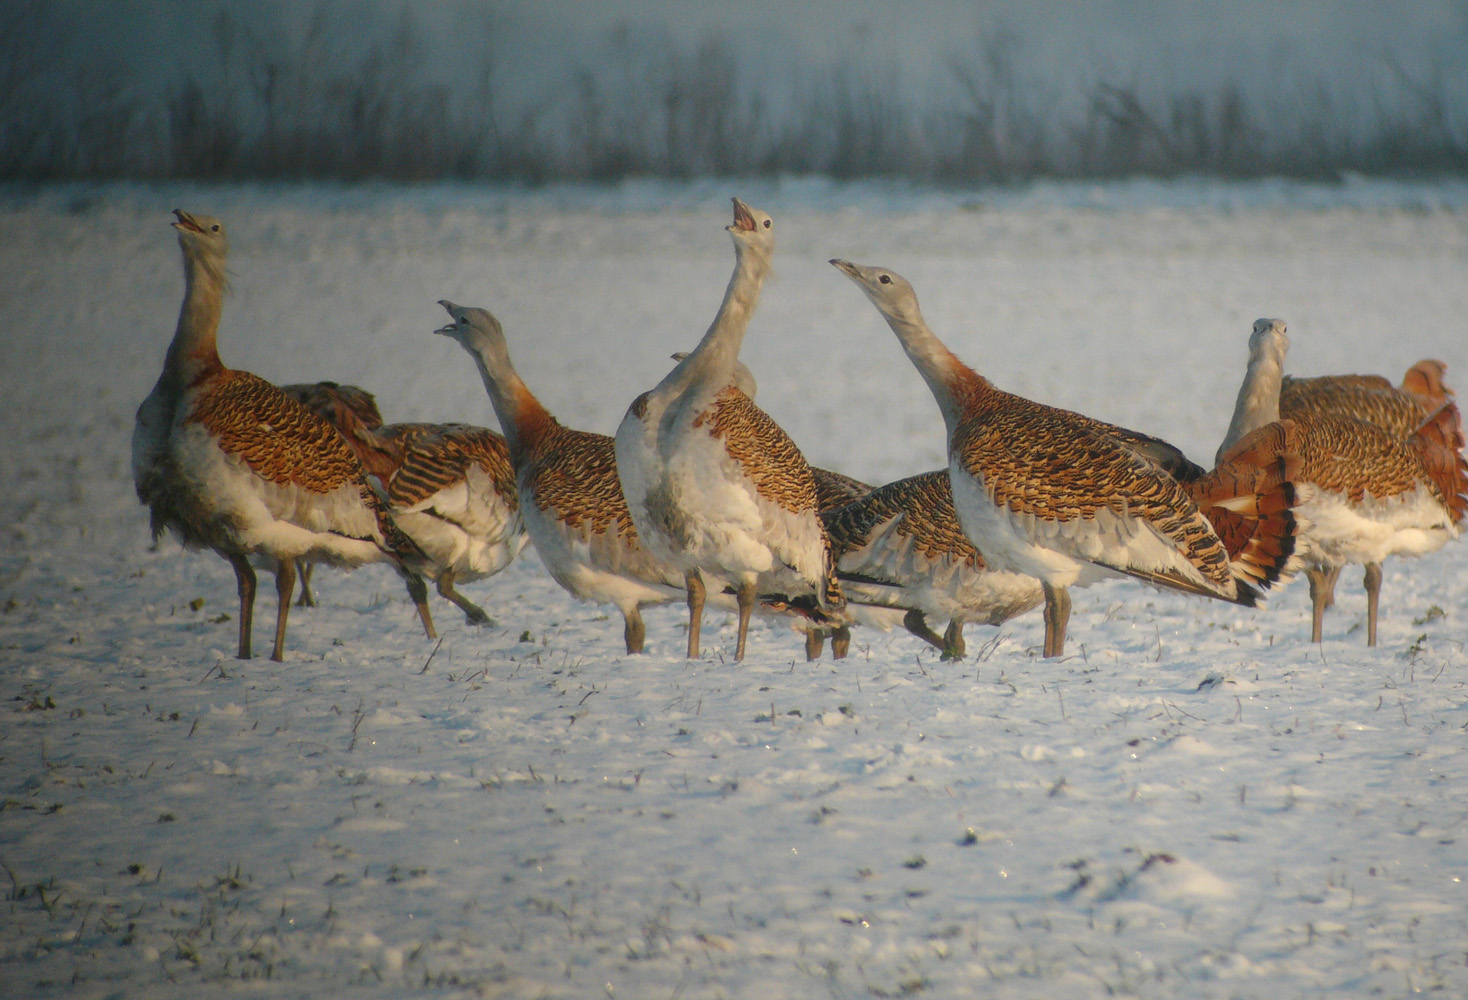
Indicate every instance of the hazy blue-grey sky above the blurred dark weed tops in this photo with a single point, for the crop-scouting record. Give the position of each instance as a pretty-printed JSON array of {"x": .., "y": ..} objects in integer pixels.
[{"x": 1131, "y": 42}]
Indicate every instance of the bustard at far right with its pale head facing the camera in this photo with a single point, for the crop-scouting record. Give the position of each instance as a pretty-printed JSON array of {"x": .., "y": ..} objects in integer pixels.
[{"x": 1378, "y": 493}]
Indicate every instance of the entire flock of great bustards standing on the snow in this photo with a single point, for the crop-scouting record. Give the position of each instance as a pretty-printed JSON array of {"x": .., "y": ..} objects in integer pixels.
[{"x": 701, "y": 497}]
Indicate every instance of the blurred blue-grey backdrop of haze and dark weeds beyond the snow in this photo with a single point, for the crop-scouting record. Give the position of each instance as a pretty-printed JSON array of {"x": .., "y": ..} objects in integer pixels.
[{"x": 544, "y": 90}]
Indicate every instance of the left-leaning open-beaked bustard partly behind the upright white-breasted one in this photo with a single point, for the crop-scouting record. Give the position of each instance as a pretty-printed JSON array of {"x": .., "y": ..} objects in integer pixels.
[{"x": 570, "y": 496}]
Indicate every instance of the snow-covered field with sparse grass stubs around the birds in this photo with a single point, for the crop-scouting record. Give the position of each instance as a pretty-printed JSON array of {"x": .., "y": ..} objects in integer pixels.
[{"x": 1196, "y": 802}]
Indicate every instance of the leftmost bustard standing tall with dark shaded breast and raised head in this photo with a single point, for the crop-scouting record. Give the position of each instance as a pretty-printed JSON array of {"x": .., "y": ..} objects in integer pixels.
[{"x": 227, "y": 462}]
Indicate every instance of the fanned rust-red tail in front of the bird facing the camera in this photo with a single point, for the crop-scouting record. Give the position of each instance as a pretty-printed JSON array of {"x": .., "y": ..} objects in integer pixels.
[{"x": 1250, "y": 499}]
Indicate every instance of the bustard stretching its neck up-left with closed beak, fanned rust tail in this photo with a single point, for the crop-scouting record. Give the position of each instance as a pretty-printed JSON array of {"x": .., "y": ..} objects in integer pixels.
[{"x": 1064, "y": 499}]
